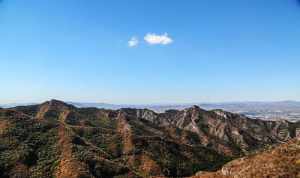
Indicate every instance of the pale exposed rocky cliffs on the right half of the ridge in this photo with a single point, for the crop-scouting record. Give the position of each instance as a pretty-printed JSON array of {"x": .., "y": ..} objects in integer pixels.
[{"x": 228, "y": 133}]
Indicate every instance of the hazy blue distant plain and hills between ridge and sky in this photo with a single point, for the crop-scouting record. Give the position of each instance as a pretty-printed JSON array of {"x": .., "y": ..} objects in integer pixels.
[{"x": 288, "y": 110}]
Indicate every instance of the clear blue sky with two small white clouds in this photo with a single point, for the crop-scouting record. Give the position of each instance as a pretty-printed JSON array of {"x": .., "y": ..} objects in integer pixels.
[{"x": 149, "y": 51}]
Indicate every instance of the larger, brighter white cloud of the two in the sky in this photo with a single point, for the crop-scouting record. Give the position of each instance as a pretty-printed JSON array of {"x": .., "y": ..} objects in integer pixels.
[{"x": 154, "y": 39}]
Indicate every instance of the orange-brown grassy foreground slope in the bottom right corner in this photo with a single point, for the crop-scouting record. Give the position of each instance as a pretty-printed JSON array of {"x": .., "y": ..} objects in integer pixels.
[{"x": 281, "y": 161}]
